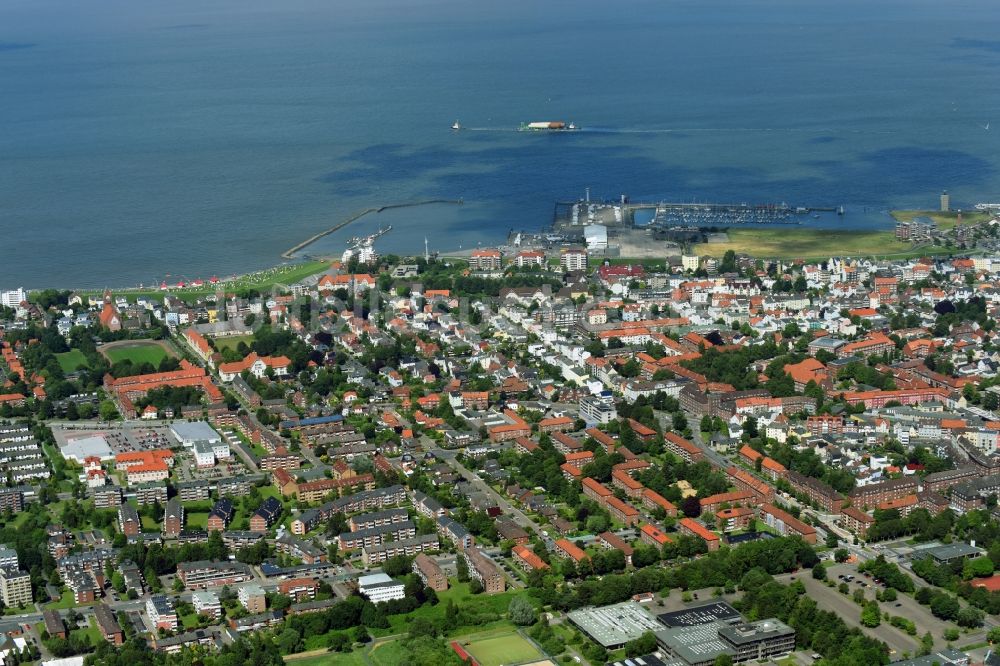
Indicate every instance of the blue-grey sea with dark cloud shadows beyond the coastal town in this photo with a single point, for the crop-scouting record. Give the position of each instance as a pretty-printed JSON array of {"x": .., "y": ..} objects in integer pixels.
[{"x": 198, "y": 137}]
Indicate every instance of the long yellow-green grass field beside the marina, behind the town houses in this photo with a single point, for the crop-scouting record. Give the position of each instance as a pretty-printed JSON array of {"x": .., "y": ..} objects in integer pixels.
[{"x": 803, "y": 243}]
